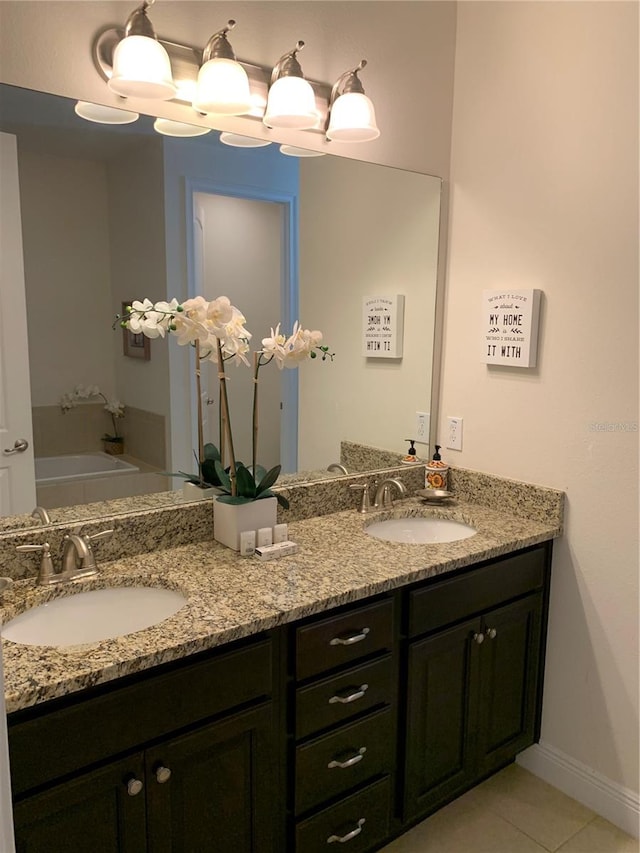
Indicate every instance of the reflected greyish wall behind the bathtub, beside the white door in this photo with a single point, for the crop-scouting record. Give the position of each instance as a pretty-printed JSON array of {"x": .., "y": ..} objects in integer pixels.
[{"x": 67, "y": 274}]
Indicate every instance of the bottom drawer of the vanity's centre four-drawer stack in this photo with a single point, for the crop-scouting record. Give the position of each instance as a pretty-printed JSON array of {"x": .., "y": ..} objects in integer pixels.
[{"x": 360, "y": 821}]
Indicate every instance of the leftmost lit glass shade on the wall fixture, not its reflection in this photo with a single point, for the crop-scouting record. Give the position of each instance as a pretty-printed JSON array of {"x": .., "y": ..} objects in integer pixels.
[{"x": 142, "y": 69}]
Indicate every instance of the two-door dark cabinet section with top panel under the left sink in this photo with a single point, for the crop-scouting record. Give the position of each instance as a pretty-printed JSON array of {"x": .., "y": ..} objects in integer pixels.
[{"x": 213, "y": 786}]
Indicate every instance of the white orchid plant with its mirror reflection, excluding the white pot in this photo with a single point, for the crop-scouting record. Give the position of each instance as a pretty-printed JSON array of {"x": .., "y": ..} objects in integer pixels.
[{"x": 216, "y": 329}]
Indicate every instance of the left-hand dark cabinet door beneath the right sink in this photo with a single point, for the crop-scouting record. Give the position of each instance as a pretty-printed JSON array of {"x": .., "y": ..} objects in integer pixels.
[{"x": 442, "y": 690}]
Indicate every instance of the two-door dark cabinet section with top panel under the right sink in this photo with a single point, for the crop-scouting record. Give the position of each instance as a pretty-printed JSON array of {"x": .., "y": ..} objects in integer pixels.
[{"x": 473, "y": 687}]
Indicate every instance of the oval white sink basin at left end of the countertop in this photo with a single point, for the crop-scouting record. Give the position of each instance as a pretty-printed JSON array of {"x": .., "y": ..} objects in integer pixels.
[{"x": 99, "y": 614}]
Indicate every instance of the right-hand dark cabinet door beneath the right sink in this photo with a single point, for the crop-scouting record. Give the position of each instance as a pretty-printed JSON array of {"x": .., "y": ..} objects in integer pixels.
[{"x": 509, "y": 665}]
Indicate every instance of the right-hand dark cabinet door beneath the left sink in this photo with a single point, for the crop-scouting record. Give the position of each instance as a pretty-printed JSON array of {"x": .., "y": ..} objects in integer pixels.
[{"x": 213, "y": 789}]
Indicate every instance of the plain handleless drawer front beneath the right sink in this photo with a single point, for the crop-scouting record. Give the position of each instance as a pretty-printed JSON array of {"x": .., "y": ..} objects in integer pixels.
[{"x": 480, "y": 589}]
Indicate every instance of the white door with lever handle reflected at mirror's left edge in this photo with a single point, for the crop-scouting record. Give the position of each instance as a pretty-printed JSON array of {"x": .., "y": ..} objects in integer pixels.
[{"x": 17, "y": 477}]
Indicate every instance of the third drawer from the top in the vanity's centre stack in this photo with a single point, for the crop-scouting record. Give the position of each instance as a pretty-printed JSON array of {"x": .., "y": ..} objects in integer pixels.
[{"x": 331, "y": 765}]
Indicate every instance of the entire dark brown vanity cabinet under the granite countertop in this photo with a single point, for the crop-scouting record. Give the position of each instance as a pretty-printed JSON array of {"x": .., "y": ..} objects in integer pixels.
[{"x": 340, "y": 730}]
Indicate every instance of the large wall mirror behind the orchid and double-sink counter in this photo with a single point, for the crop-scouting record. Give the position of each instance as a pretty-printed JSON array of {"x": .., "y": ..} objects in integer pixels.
[{"x": 114, "y": 213}]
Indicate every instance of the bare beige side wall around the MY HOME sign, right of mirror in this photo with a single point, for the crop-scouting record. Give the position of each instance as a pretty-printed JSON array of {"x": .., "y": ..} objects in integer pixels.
[{"x": 545, "y": 194}]
